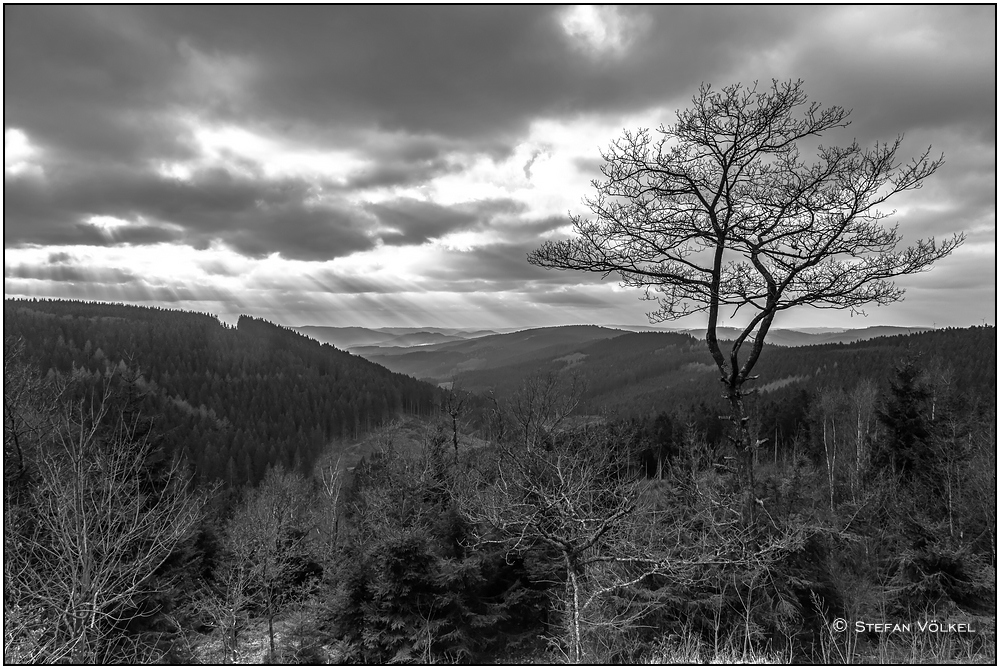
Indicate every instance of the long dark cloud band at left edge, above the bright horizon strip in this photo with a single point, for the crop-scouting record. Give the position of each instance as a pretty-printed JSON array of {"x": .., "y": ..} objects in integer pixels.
[{"x": 257, "y": 217}]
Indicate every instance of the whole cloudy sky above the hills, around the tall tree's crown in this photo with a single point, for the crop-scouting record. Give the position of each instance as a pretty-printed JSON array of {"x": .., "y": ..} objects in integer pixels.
[{"x": 383, "y": 166}]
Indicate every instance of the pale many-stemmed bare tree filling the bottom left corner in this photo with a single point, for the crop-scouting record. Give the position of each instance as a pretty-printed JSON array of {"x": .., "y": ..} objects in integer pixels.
[{"x": 100, "y": 529}]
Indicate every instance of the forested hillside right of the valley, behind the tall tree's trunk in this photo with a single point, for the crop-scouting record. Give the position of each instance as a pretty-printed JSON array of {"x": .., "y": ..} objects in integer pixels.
[{"x": 650, "y": 372}]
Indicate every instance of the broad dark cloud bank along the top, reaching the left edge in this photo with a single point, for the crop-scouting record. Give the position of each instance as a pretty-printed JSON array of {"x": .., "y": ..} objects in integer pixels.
[{"x": 101, "y": 80}]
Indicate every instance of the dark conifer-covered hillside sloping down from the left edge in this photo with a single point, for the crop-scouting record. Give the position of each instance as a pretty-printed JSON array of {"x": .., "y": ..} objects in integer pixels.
[{"x": 234, "y": 400}]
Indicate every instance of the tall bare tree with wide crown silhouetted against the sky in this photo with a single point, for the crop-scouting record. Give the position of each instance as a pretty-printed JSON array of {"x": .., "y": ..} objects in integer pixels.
[{"x": 721, "y": 211}]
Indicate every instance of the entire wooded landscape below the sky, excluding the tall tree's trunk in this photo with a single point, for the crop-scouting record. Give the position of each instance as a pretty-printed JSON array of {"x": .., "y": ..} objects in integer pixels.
[{"x": 176, "y": 490}]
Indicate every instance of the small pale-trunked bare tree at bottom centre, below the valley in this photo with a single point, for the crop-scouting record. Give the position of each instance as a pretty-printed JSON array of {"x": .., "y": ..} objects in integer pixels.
[{"x": 576, "y": 499}]
